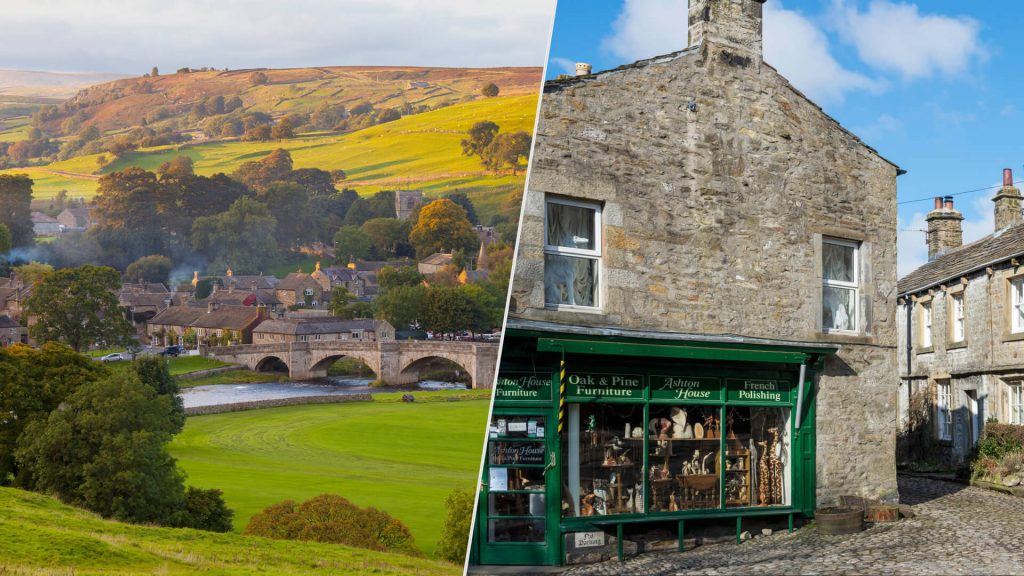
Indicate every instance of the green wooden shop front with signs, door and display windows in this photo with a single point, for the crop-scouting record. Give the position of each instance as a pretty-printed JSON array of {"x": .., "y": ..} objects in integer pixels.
[{"x": 596, "y": 435}]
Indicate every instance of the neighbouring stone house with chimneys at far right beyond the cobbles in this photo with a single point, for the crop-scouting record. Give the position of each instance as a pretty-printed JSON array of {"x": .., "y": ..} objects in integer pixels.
[{"x": 961, "y": 321}]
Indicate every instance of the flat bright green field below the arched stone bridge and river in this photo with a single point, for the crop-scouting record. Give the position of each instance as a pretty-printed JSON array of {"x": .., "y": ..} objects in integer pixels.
[{"x": 401, "y": 458}]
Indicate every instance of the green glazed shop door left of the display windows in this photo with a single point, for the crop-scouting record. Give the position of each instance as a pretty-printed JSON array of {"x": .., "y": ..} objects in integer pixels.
[{"x": 520, "y": 490}]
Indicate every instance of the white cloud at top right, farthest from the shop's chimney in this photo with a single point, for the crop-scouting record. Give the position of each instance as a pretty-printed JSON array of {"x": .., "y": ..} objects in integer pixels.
[{"x": 895, "y": 37}]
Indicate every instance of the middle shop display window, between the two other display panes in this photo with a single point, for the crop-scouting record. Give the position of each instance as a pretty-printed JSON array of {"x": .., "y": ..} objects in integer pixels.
[{"x": 686, "y": 458}]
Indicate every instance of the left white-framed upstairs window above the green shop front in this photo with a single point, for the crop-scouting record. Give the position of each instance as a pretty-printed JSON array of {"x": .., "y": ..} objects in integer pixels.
[{"x": 572, "y": 254}]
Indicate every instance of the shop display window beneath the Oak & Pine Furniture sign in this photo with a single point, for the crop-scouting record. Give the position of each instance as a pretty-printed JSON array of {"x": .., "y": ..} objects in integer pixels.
[{"x": 606, "y": 461}]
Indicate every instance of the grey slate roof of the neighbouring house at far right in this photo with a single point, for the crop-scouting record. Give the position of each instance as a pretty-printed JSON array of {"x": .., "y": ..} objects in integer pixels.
[{"x": 1001, "y": 245}]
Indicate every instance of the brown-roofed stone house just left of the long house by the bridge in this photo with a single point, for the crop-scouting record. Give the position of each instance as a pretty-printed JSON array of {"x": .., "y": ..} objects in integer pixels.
[{"x": 215, "y": 320}]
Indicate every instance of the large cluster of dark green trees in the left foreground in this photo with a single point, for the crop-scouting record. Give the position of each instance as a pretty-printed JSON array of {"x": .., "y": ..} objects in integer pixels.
[{"x": 97, "y": 438}]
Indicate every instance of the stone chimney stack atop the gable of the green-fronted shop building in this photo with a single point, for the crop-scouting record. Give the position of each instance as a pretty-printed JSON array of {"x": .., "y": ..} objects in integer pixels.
[{"x": 734, "y": 26}]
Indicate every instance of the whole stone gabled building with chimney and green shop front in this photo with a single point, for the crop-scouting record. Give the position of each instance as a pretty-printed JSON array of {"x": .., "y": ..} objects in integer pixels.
[{"x": 707, "y": 264}]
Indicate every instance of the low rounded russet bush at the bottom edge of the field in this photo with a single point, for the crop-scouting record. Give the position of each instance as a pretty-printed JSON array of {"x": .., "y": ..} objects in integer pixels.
[{"x": 330, "y": 518}]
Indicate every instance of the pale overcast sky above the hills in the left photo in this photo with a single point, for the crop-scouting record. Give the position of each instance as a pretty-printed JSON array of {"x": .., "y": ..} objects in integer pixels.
[{"x": 134, "y": 35}]
